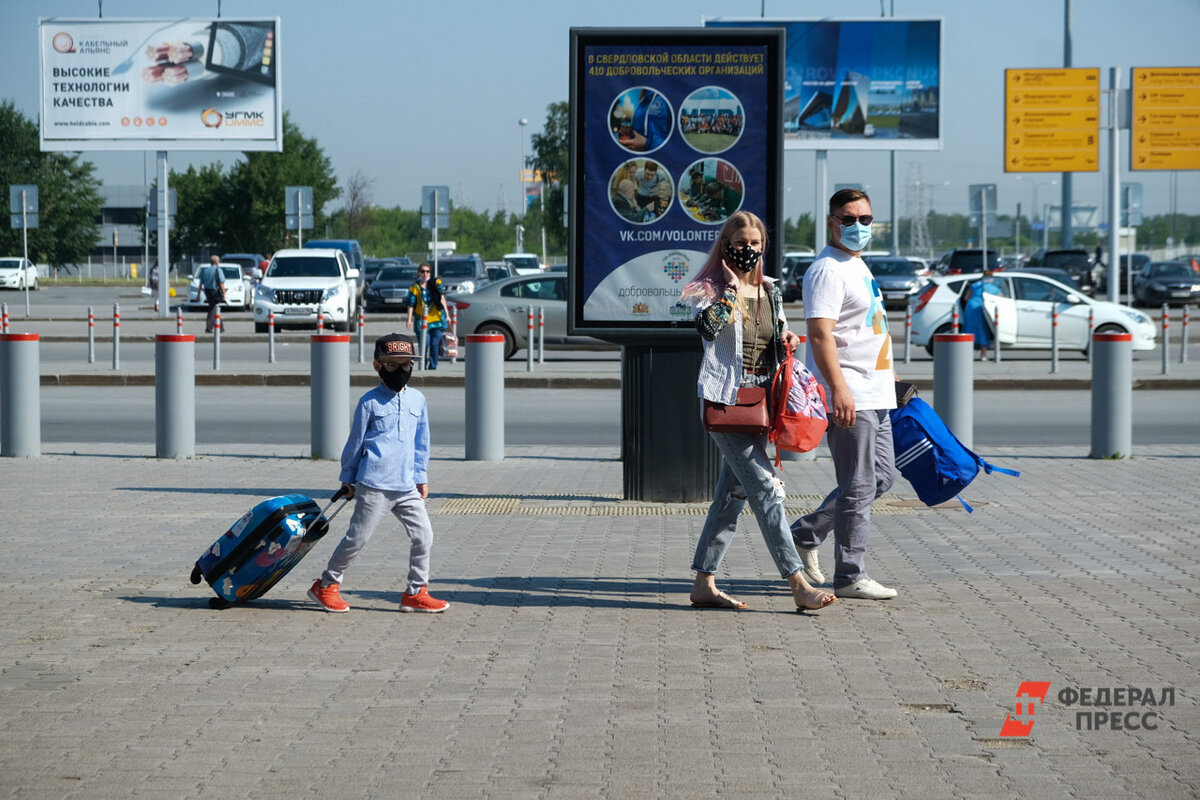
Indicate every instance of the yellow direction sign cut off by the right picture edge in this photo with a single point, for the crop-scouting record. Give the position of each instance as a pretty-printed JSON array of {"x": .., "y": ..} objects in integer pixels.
[{"x": 1166, "y": 130}]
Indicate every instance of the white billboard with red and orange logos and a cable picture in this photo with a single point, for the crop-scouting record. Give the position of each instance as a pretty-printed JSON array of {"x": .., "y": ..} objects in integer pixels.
[{"x": 160, "y": 85}]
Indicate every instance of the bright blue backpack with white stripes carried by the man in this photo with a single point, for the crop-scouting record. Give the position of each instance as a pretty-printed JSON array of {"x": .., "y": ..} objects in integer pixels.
[{"x": 931, "y": 458}]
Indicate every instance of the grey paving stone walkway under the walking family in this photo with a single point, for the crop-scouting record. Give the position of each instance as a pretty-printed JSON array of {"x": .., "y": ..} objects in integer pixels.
[{"x": 571, "y": 664}]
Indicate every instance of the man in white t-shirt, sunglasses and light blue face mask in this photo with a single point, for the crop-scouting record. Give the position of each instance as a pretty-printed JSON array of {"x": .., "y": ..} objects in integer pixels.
[{"x": 850, "y": 351}]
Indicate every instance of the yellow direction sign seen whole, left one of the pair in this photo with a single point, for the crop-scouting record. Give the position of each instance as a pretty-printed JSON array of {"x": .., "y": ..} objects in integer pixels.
[{"x": 1053, "y": 121}]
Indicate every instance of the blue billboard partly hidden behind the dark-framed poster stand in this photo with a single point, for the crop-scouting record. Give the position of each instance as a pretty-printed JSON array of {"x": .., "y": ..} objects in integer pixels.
[{"x": 860, "y": 85}]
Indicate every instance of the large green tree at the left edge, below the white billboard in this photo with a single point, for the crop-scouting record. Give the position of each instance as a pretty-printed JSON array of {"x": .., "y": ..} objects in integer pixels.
[{"x": 68, "y": 191}]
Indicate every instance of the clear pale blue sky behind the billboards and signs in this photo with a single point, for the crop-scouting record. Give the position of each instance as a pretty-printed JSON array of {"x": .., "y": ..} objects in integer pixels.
[{"x": 418, "y": 94}]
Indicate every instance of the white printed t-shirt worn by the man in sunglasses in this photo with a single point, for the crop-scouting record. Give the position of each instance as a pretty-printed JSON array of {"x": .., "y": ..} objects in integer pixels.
[{"x": 841, "y": 287}]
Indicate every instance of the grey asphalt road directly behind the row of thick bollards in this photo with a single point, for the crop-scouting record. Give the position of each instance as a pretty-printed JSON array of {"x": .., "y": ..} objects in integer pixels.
[{"x": 562, "y": 417}]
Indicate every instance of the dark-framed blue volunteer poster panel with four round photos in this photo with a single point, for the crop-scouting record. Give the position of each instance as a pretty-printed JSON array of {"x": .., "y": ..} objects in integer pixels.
[{"x": 673, "y": 131}]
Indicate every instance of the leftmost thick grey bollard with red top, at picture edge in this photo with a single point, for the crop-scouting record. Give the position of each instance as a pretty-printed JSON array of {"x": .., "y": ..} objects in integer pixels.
[{"x": 21, "y": 417}]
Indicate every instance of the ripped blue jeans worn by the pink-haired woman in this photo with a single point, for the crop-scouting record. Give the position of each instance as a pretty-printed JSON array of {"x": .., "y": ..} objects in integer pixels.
[{"x": 747, "y": 476}]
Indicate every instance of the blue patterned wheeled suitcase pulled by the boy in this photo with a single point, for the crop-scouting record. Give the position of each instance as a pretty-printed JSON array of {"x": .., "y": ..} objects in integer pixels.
[{"x": 262, "y": 548}]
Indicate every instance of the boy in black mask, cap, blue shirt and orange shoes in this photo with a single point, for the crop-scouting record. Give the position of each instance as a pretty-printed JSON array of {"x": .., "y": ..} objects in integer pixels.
[{"x": 385, "y": 467}]
